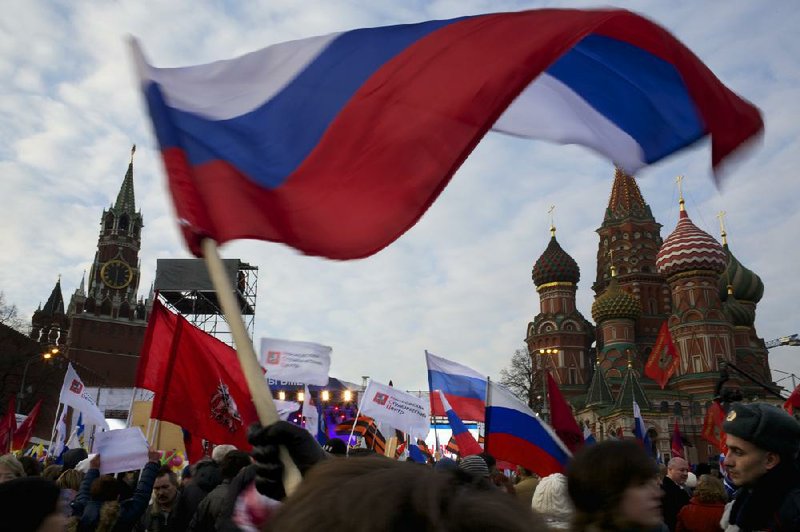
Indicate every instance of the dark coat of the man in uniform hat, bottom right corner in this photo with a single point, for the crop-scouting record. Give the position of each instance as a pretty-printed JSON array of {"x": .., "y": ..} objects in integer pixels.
[{"x": 772, "y": 503}]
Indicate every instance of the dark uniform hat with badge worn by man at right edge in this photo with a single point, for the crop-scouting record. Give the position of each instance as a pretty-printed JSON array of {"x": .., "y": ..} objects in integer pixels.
[{"x": 765, "y": 426}]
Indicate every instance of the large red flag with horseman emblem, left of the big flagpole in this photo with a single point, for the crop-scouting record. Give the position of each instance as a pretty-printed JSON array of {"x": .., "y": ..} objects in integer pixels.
[{"x": 198, "y": 382}]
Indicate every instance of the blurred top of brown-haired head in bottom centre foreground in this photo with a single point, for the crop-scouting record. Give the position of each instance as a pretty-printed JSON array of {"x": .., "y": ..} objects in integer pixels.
[{"x": 373, "y": 493}]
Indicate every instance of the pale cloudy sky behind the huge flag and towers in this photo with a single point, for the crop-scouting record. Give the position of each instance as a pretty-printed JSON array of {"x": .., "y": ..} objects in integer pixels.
[{"x": 459, "y": 282}]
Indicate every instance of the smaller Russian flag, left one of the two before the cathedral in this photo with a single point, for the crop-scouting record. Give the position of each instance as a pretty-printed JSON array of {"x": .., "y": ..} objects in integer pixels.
[{"x": 464, "y": 388}]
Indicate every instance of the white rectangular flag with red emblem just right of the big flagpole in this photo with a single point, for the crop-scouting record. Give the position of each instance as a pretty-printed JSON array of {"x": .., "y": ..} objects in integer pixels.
[{"x": 304, "y": 362}]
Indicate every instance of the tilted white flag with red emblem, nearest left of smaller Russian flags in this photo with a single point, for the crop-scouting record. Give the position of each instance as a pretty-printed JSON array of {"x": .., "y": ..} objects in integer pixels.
[{"x": 401, "y": 410}]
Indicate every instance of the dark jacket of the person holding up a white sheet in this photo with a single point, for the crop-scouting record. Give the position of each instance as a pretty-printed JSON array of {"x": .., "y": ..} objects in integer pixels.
[{"x": 130, "y": 510}]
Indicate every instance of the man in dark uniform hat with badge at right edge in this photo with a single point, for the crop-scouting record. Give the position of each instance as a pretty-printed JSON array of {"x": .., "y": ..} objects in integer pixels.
[{"x": 763, "y": 443}]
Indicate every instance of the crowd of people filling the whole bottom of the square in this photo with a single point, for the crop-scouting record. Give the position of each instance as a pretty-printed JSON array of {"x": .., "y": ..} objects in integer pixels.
[{"x": 609, "y": 486}]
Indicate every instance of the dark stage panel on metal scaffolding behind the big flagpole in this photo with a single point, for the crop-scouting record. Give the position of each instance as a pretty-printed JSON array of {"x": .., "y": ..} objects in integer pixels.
[{"x": 185, "y": 286}]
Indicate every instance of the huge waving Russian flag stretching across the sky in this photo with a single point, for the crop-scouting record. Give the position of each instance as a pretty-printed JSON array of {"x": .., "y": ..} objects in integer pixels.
[{"x": 336, "y": 145}]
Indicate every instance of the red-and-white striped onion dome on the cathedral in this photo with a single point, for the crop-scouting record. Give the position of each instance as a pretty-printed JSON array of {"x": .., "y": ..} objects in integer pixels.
[{"x": 690, "y": 248}]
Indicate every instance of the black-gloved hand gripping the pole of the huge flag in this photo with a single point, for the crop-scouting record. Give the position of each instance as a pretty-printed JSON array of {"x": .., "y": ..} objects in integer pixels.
[{"x": 302, "y": 447}]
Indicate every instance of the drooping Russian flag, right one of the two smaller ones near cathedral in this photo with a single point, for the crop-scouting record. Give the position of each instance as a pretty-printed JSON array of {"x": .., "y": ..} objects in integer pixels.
[{"x": 515, "y": 434}]
